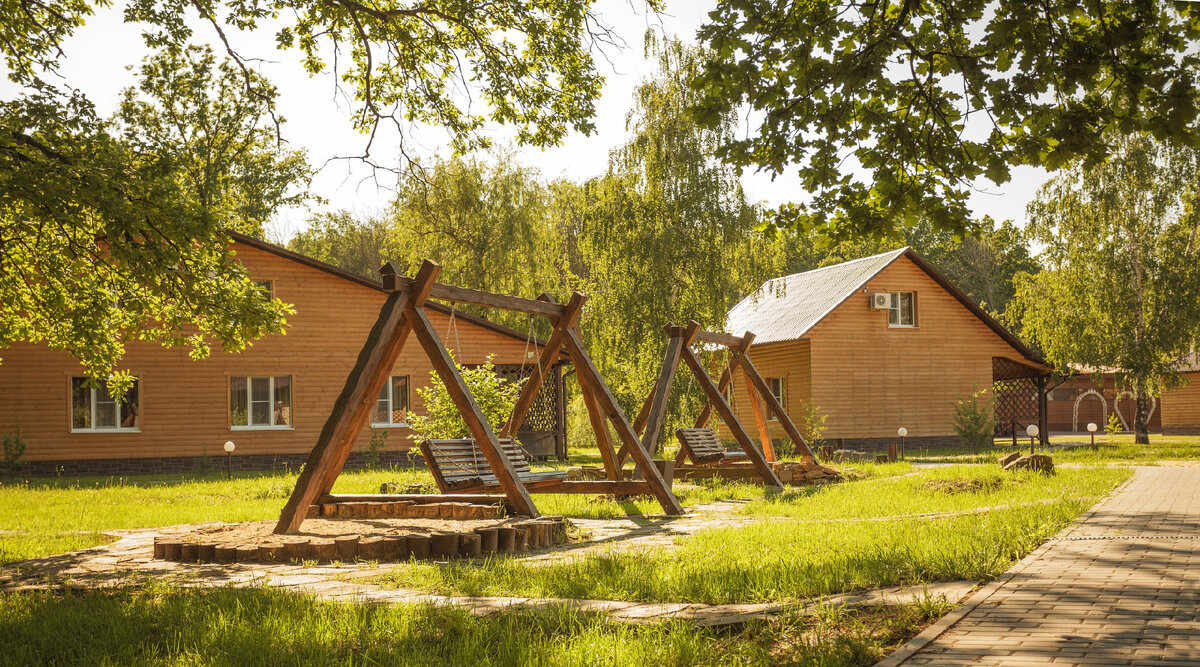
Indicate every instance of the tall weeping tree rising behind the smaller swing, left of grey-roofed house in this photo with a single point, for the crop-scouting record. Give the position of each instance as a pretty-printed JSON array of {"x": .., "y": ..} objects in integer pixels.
[{"x": 668, "y": 233}]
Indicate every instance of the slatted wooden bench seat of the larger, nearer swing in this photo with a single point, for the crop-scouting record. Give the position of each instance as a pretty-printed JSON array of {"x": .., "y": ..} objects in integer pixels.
[{"x": 460, "y": 465}]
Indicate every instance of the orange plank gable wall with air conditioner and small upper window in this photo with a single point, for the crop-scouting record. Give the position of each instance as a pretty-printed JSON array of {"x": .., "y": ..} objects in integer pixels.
[{"x": 871, "y": 378}]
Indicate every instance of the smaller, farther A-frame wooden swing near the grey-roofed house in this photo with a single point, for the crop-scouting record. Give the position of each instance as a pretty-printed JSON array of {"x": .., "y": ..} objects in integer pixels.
[{"x": 700, "y": 444}]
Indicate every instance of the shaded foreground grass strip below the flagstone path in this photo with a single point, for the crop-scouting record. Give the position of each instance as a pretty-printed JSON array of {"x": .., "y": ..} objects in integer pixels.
[{"x": 261, "y": 627}]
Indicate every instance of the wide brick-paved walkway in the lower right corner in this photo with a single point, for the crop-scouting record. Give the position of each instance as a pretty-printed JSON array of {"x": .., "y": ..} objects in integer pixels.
[{"x": 1119, "y": 587}]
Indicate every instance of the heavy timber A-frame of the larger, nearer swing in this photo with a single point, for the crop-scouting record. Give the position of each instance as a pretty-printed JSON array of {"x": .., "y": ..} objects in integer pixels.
[{"x": 404, "y": 314}]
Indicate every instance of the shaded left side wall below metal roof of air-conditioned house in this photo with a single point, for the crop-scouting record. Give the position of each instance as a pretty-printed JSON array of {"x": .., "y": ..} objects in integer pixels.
[{"x": 788, "y": 360}]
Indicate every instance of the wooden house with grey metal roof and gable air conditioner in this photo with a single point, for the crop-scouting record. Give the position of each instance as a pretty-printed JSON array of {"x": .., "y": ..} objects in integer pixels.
[{"x": 881, "y": 344}]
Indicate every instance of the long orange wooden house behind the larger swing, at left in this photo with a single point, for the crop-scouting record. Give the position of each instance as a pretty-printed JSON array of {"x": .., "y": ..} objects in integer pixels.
[{"x": 271, "y": 400}]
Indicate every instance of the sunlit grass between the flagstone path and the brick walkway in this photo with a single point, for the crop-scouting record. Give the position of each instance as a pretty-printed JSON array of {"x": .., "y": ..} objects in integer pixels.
[{"x": 795, "y": 557}]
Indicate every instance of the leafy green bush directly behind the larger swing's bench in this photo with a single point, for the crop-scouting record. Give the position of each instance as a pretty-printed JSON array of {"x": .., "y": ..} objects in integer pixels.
[{"x": 494, "y": 395}]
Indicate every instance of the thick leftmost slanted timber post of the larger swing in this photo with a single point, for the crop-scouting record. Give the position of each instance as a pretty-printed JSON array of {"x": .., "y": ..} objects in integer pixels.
[{"x": 358, "y": 396}]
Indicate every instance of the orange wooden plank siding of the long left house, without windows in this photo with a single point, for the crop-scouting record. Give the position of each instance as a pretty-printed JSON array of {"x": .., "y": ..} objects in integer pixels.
[{"x": 185, "y": 405}]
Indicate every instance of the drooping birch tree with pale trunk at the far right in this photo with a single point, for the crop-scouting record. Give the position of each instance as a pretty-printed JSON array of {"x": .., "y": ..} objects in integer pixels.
[{"x": 1121, "y": 289}]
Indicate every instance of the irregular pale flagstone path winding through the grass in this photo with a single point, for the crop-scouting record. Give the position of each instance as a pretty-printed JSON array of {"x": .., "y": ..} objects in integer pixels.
[{"x": 129, "y": 561}]
